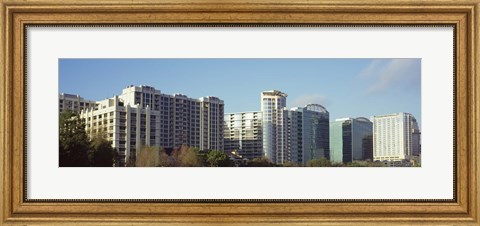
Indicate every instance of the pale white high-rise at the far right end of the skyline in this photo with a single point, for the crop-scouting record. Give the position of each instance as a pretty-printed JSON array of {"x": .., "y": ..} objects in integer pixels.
[{"x": 393, "y": 137}]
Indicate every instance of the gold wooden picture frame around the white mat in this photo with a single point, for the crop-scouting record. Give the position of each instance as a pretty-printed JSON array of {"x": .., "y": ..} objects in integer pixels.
[{"x": 16, "y": 14}]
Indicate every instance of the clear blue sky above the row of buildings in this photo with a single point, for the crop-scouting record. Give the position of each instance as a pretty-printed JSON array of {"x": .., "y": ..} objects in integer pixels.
[{"x": 346, "y": 87}]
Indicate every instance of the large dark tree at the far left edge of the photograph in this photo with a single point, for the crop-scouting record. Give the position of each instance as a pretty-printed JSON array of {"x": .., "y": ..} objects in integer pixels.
[{"x": 73, "y": 141}]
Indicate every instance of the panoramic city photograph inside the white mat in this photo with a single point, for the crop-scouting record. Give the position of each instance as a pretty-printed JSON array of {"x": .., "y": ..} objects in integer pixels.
[{"x": 239, "y": 112}]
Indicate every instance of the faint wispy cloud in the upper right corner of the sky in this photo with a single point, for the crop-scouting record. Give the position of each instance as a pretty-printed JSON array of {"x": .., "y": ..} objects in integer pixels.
[{"x": 386, "y": 74}]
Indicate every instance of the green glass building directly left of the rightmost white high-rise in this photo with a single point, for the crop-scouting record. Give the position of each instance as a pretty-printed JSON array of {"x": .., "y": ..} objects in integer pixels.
[{"x": 351, "y": 140}]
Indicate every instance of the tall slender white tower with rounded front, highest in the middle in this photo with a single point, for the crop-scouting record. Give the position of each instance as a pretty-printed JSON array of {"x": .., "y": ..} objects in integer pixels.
[{"x": 274, "y": 123}]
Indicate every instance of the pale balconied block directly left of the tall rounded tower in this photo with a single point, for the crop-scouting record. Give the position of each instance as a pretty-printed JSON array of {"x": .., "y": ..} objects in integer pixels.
[{"x": 243, "y": 134}]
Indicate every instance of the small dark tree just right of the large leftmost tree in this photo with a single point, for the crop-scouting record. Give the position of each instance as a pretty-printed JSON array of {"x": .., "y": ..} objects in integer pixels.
[{"x": 101, "y": 152}]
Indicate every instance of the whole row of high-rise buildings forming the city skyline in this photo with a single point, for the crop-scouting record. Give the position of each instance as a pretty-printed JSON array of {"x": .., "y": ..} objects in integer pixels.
[{"x": 142, "y": 117}]
